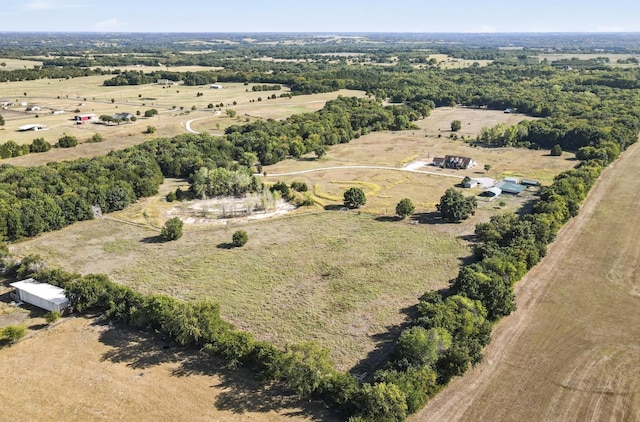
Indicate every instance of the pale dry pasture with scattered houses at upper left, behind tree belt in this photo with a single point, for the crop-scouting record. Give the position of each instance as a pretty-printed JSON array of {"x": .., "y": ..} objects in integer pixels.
[{"x": 174, "y": 104}]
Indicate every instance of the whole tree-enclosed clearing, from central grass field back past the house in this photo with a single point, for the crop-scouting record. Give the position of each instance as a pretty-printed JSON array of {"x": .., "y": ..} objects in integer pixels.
[{"x": 340, "y": 278}]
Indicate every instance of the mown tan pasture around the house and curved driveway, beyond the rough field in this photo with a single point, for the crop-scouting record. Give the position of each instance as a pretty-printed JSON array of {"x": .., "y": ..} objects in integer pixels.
[{"x": 334, "y": 173}]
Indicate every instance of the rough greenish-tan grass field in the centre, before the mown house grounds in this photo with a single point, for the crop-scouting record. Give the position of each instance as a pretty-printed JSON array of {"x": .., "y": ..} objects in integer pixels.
[{"x": 340, "y": 278}]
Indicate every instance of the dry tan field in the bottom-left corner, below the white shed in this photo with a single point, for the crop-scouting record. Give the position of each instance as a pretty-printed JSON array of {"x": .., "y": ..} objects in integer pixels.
[{"x": 81, "y": 370}]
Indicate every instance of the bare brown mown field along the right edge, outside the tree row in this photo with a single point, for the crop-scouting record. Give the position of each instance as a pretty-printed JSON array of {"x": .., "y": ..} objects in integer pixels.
[{"x": 570, "y": 352}]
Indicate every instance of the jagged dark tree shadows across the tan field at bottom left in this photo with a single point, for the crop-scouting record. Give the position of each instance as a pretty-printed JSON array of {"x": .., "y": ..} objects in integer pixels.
[{"x": 239, "y": 391}]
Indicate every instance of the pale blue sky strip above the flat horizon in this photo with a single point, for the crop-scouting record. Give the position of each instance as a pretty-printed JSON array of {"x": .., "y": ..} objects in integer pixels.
[{"x": 321, "y": 16}]
